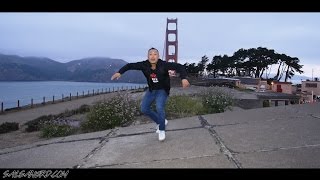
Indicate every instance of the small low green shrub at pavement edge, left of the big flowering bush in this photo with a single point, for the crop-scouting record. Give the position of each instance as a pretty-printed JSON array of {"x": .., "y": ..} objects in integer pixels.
[{"x": 54, "y": 130}]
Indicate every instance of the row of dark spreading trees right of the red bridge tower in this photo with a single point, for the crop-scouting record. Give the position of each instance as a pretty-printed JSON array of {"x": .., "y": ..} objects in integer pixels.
[{"x": 253, "y": 62}]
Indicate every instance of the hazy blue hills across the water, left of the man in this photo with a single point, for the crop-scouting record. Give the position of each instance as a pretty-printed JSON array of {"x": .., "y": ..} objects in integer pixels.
[{"x": 95, "y": 69}]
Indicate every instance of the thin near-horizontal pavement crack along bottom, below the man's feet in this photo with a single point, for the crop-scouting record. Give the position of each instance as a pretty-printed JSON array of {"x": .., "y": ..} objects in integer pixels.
[{"x": 156, "y": 160}]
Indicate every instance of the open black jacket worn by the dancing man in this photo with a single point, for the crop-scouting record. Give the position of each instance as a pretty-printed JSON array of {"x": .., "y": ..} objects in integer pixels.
[{"x": 162, "y": 71}]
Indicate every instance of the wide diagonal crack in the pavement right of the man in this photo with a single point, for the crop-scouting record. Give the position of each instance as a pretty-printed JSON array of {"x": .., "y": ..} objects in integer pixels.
[{"x": 223, "y": 148}]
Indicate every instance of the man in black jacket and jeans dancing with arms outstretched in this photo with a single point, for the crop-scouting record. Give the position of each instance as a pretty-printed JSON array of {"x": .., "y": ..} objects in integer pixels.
[{"x": 156, "y": 72}]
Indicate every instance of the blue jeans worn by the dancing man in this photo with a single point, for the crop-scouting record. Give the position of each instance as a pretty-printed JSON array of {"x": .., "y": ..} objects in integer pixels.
[{"x": 160, "y": 96}]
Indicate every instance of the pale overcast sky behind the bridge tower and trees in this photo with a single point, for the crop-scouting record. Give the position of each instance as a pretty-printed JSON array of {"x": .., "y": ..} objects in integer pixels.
[{"x": 68, "y": 36}]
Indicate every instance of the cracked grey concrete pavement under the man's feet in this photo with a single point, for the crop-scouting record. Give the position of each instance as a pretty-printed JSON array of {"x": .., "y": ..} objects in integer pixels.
[{"x": 274, "y": 137}]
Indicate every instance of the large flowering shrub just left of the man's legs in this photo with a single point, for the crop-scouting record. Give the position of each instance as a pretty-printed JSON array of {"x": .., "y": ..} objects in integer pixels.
[{"x": 110, "y": 113}]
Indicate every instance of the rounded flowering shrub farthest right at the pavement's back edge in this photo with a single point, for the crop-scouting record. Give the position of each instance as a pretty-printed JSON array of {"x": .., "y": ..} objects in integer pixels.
[{"x": 215, "y": 100}]
